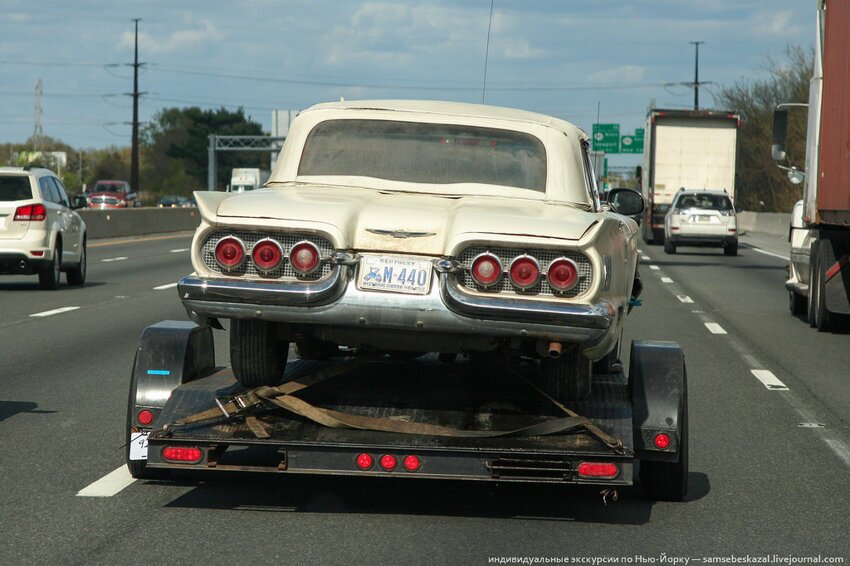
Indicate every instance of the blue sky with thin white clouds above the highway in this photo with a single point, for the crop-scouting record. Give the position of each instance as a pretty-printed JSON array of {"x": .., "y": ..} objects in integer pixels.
[{"x": 566, "y": 58}]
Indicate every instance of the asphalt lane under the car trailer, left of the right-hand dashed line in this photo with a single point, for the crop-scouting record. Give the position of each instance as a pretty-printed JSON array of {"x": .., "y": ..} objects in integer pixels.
[{"x": 751, "y": 487}]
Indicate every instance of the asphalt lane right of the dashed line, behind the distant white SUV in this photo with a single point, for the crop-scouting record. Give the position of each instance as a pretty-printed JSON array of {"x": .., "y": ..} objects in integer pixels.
[{"x": 748, "y": 295}]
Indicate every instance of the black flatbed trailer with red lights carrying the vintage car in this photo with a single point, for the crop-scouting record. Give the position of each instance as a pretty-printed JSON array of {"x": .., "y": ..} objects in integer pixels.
[{"x": 375, "y": 416}]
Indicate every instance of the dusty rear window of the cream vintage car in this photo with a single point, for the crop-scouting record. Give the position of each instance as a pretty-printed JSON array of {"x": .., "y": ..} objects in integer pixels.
[{"x": 416, "y": 152}]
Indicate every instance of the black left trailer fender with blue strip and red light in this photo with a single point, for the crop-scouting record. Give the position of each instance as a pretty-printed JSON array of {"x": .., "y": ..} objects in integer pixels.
[{"x": 170, "y": 354}]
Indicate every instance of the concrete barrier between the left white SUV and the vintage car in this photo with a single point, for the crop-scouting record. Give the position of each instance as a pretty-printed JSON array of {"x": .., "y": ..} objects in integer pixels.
[{"x": 119, "y": 222}]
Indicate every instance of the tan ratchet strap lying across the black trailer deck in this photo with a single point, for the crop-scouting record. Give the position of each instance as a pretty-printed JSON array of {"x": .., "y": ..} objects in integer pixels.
[{"x": 282, "y": 396}]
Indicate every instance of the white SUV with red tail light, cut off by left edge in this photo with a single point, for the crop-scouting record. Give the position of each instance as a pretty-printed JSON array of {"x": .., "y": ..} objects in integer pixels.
[{"x": 39, "y": 233}]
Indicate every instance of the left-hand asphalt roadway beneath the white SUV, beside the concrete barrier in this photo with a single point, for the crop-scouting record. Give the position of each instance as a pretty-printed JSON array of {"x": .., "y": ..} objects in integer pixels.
[{"x": 149, "y": 264}]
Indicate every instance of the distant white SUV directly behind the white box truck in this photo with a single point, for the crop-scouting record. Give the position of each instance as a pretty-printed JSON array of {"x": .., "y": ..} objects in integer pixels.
[{"x": 701, "y": 218}]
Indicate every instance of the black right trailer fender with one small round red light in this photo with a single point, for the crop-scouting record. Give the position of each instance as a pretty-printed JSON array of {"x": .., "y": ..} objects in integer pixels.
[{"x": 658, "y": 387}]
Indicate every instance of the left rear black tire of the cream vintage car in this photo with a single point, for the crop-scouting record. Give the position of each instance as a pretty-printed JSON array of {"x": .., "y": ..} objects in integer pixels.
[{"x": 257, "y": 354}]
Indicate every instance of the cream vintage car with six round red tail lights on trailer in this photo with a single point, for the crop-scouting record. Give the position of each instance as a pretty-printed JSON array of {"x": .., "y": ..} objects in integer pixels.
[{"x": 412, "y": 226}]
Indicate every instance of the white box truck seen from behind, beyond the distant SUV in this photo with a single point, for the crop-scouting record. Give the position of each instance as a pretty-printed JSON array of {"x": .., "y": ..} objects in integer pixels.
[{"x": 691, "y": 149}]
